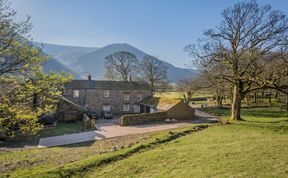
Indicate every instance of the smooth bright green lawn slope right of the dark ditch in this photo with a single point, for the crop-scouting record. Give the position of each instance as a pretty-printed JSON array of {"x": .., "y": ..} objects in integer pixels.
[{"x": 244, "y": 149}]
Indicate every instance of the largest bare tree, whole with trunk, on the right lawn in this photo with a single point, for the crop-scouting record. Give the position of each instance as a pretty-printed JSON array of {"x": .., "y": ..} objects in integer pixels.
[{"x": 250, "y": 39}]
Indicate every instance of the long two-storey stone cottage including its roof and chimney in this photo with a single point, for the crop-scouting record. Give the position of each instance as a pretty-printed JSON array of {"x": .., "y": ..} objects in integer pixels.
[{"x": 119, "y": 97}]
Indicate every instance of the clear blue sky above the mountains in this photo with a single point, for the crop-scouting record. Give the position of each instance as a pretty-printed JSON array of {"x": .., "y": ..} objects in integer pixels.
[{"x": 158, "y": 27}]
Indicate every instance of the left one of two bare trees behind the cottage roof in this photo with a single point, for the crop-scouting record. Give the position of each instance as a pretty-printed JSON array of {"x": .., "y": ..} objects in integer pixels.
[{"x": 121, "y": 65}]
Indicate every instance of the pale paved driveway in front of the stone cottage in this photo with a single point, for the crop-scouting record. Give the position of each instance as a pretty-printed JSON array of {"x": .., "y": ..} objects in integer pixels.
[{"x": 109, "y": 129}]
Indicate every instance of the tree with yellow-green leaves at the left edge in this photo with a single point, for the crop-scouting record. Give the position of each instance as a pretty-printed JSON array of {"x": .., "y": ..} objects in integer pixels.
[{"x": 25, "y": 91}]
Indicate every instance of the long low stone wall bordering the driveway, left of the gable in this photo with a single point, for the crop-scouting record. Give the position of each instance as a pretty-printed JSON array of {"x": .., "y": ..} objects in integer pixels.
[{"x": 137, "y": 119}]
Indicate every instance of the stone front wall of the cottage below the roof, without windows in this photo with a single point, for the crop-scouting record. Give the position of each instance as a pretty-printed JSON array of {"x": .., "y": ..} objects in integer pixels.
[{"x": 95, "y": 99}]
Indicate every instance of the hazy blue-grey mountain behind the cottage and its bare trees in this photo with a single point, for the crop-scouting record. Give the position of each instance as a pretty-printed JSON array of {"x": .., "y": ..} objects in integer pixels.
[{"x": 82, "y": 60}]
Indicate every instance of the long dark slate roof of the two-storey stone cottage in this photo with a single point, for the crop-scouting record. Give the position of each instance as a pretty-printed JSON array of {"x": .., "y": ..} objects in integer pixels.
[{"x": 107, "y": 85}]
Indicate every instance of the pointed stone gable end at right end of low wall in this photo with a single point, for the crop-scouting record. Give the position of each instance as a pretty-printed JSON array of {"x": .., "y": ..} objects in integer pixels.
[{"x": 181, "y": 111}]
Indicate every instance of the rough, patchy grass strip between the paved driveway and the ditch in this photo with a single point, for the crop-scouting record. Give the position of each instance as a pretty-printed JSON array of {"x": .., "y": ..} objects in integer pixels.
[{"x": 18, "y": 162}]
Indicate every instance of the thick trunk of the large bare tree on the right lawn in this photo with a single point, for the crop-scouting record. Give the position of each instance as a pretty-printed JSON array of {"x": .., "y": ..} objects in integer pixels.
[{"x": 236, "y": 104}]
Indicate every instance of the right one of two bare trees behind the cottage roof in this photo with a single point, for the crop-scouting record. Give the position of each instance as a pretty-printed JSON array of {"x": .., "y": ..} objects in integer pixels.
[{"x": 154, "y": 71}]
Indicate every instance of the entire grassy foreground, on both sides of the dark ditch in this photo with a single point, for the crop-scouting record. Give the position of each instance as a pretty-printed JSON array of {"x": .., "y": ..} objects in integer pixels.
[{"x": 257, "y": 147}]
